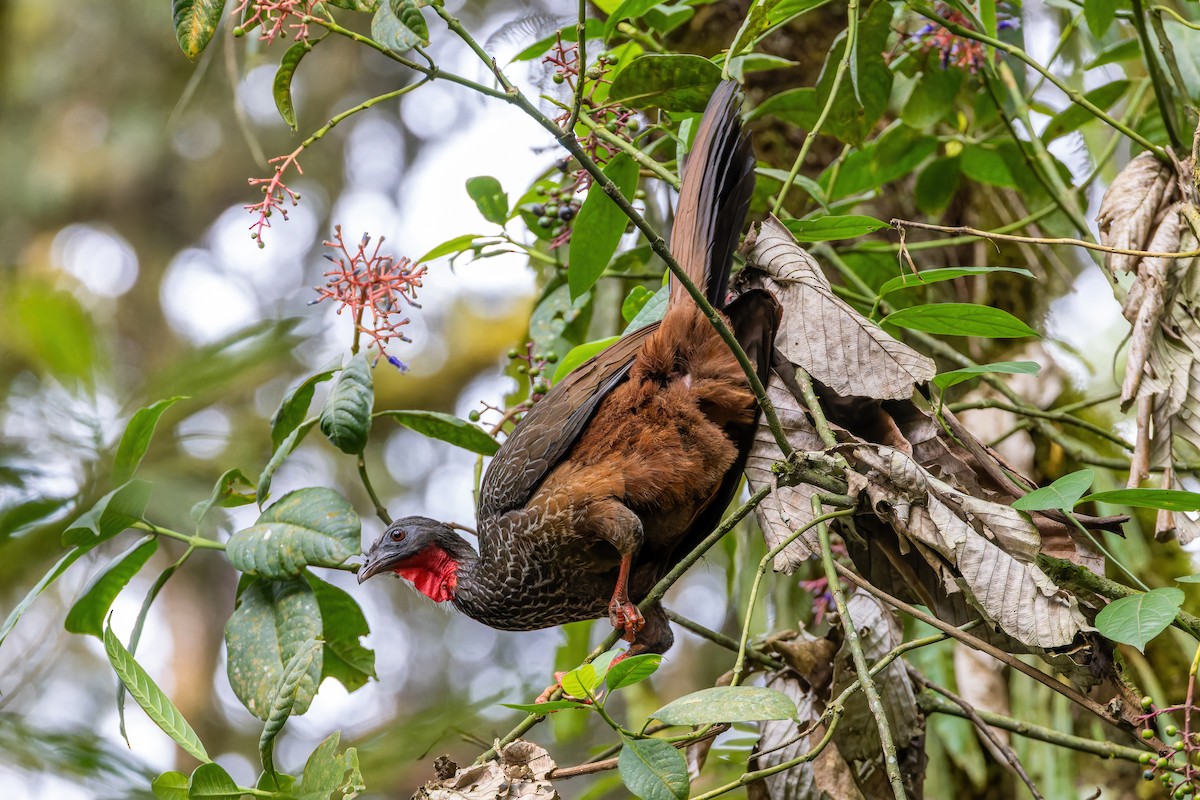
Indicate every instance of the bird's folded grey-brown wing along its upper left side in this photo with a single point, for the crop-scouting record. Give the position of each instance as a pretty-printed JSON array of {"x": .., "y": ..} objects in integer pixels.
[{"x": 549, "y": 430}]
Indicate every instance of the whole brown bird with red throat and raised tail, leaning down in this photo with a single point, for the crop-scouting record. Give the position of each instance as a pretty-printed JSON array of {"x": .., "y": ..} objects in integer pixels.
[{"x": 631, "y": 461}]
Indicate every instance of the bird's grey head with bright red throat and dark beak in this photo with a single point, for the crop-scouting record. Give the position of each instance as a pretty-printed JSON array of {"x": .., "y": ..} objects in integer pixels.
[{"x": 423, "y": 551}]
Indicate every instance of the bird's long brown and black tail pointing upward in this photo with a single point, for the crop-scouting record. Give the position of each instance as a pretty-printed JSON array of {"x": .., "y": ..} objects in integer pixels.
[{"x": 718, "y": 179}]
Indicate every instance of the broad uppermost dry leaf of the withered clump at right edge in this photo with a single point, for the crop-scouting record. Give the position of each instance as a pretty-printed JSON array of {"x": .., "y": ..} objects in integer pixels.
[{"x": 1130, "y": 208}]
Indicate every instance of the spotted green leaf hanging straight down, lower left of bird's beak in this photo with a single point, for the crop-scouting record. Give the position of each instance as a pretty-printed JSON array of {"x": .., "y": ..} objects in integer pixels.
[{"x": 272, "y": 623}]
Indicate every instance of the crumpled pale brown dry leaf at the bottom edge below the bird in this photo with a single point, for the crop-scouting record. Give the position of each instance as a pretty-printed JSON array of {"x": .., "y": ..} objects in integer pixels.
[{"x": 520, "y": 774}]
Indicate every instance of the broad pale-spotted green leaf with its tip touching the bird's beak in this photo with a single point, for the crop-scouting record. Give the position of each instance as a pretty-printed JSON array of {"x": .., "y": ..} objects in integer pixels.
[{"x": 313, "y": 527}]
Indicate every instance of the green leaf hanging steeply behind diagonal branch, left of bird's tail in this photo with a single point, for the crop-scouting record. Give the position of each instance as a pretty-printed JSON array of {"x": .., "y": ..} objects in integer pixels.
[{"x": 599, "y": 227}]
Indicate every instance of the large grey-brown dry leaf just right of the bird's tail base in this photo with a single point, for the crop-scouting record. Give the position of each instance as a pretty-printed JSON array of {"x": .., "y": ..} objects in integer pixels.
[{"x": 824, "y": 335}]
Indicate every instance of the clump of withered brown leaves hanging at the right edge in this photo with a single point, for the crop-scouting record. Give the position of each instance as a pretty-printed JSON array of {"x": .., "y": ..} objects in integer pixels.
[{"x": 1148, "y": 209}]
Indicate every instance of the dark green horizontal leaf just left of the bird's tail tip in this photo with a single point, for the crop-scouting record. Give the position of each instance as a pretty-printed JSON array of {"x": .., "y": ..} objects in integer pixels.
[{"x": 671, "y": 82}]
